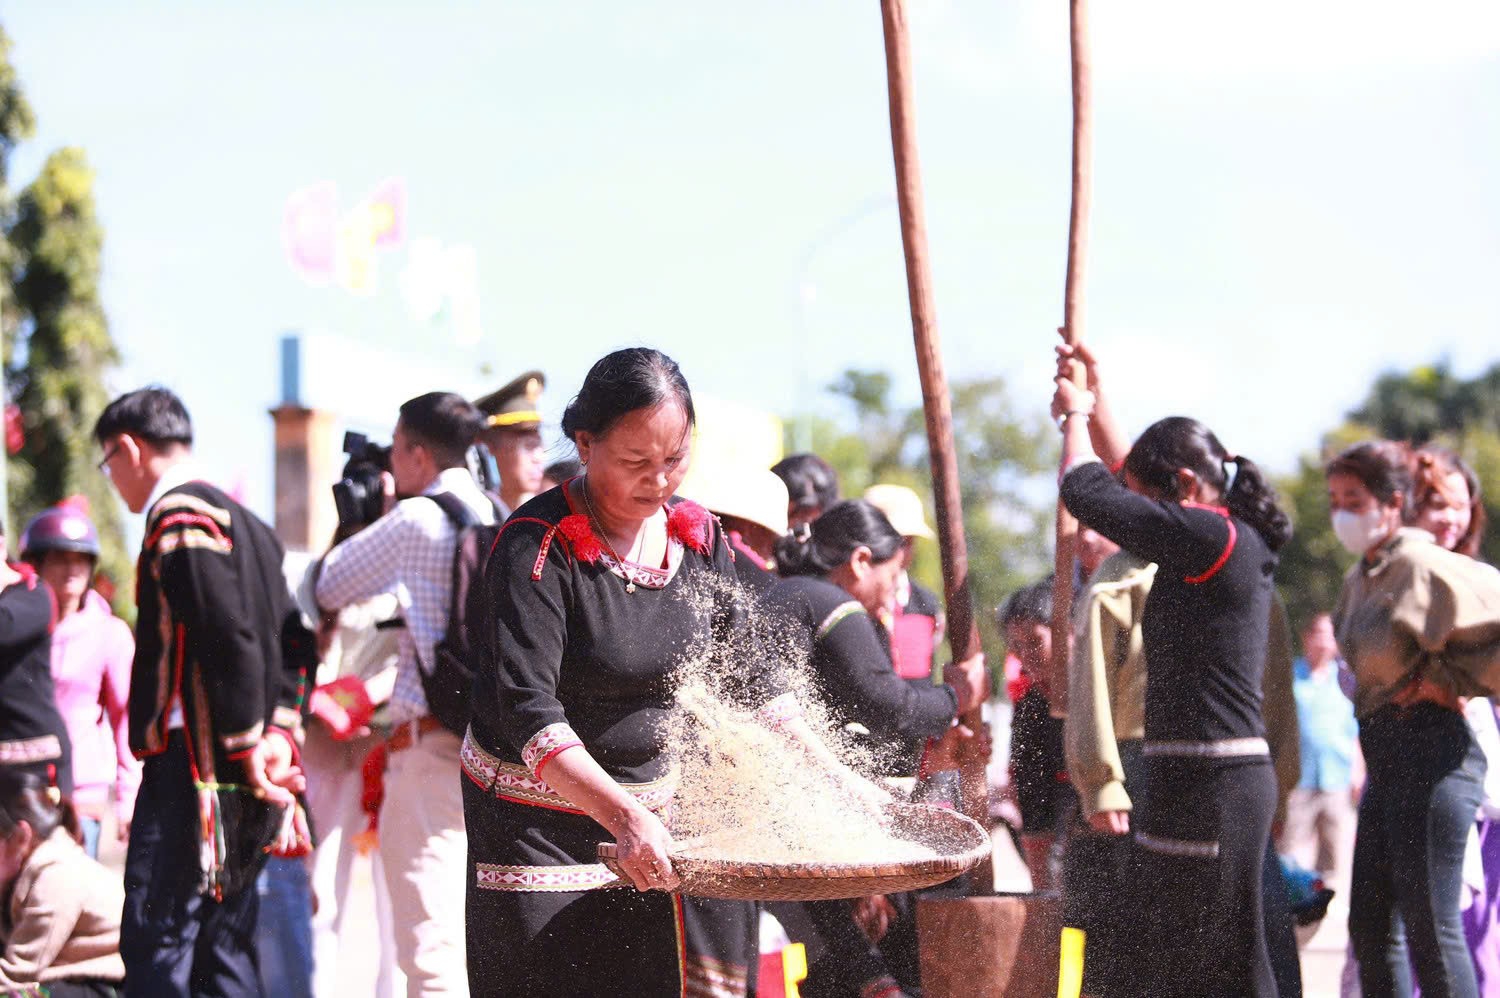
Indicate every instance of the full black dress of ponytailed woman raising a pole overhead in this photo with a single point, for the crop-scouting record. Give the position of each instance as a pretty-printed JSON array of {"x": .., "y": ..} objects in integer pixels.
[{"x": 1211, "y": 793}]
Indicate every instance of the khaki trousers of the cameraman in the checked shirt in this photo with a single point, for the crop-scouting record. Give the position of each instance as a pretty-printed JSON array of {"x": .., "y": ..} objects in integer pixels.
[{"x": 425, "y": 853}]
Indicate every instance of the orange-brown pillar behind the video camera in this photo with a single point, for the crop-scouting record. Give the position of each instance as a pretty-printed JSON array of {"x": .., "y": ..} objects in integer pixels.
[{"x": 308, "y": 463}]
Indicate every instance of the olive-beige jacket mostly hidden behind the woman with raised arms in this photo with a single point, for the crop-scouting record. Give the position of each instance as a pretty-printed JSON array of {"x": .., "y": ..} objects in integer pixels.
[{"x": 1108, "y": 688}]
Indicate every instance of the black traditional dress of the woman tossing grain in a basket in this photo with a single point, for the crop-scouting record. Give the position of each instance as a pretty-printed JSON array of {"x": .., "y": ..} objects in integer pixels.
[{"x": 583, "y": 652}]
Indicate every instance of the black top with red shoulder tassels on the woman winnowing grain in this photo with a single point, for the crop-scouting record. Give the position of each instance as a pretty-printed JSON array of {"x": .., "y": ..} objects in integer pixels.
[{"x": 568, "y": 645}]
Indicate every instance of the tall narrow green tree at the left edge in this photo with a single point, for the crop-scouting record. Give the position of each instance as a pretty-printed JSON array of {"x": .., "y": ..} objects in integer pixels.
[{"x": 58, "y": 346}]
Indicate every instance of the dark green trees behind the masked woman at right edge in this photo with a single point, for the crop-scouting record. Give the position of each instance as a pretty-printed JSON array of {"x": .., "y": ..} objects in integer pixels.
[{"x": 1427, "y": 404}]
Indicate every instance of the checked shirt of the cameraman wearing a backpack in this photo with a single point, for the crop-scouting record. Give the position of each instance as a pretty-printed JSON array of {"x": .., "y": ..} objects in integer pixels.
[{"x": 409, "y": 553}]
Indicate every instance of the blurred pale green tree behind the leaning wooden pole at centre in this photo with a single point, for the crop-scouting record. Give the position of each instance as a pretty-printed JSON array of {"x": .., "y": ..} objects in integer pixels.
[{"x": 1003, "y": 460}]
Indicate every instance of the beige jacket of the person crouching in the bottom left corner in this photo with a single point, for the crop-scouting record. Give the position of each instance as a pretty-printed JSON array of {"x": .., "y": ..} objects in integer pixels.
[{"x": 64, "y": 919}]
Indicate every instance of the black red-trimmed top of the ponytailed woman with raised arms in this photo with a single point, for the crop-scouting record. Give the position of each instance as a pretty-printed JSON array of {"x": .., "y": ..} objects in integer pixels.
[{"x": 1208, "y": 615}]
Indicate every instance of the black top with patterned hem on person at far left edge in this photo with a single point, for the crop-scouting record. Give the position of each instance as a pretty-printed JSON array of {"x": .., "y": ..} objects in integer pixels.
[{"x": 32, "y": 730}]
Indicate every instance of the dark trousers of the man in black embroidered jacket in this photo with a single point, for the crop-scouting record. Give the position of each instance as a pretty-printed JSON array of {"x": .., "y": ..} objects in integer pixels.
[{"x": 175, "y": 942}]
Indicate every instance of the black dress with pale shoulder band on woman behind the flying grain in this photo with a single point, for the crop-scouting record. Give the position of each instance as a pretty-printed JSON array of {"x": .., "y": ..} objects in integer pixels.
[{"x": 850, "y": 655}]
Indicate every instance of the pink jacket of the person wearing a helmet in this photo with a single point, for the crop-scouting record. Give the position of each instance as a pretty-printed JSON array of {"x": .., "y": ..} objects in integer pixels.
[{"x": 92, "y": 654}]
